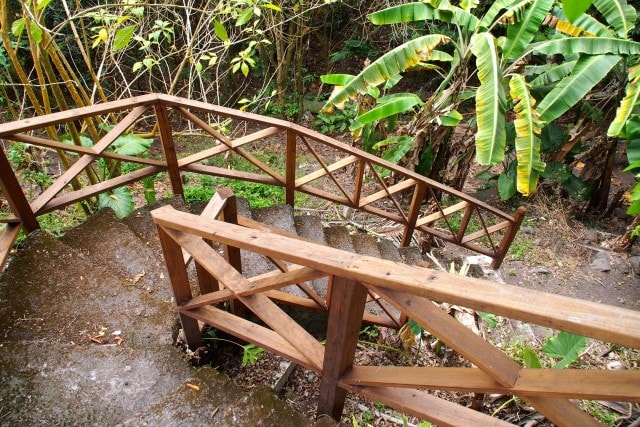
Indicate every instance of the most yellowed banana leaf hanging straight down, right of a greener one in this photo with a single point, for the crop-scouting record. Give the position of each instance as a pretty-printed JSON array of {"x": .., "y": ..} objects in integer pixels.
[{"x": 528, "y": 127}]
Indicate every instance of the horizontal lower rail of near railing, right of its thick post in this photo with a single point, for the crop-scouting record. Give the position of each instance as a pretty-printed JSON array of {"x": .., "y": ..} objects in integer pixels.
[{"x": 590, "y": 384}]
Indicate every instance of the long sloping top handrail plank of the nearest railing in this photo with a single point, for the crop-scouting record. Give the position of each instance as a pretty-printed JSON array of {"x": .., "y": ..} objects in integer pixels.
[{"x": 611, "y": 324}]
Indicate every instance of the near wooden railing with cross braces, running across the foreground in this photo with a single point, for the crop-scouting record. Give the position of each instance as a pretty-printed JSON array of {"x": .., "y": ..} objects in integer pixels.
[{"x": 411, "y": 290}]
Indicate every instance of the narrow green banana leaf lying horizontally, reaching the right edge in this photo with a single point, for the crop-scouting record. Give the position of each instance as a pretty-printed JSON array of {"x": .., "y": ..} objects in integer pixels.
[{"x": 587, "y": 45}]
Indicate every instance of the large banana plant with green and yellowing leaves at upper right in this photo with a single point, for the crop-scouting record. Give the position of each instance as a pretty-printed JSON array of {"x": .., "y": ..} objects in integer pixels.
[{"x": 496, "y": 48}]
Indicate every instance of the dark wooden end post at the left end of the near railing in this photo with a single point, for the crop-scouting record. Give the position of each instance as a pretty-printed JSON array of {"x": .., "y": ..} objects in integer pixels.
[{"x": 174, "y": 260}]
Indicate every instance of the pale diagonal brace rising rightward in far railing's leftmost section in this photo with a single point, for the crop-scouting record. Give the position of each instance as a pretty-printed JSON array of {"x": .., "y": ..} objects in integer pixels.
[{"x": 85, "y": 160}]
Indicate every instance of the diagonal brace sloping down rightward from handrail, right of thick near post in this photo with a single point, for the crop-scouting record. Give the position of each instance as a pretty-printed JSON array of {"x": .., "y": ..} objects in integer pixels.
[{"x": 457, "y": 336}]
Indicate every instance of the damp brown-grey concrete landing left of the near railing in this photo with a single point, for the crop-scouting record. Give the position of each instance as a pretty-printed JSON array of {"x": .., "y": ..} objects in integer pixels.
[{"x": 82, "y": 342}]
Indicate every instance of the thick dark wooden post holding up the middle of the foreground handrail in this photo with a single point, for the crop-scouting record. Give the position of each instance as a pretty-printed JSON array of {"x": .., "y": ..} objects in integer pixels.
[{"x": 345, "y": 319}]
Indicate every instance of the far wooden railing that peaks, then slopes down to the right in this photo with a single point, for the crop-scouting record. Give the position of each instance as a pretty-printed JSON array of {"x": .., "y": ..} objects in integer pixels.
[{"x": 315, "y": 164}]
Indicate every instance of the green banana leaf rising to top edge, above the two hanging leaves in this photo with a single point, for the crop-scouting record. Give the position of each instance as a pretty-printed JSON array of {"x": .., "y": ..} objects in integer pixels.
[{"x": 520, "y": 34}]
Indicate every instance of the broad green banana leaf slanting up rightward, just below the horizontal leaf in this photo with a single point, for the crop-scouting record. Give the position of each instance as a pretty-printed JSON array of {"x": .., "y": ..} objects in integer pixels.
[{"x": 589, "y": 70}]
